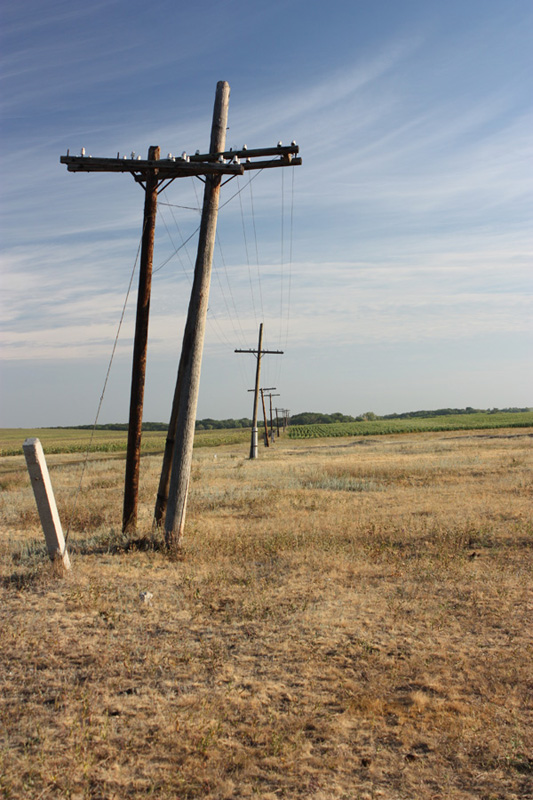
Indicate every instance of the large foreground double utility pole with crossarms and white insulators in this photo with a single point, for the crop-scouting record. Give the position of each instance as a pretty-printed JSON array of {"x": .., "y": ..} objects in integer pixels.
[{"x": 154, "y": 175}]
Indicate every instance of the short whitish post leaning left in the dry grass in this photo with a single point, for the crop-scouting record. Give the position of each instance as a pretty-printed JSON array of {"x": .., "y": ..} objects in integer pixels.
[{"x": 46, "y": 504}]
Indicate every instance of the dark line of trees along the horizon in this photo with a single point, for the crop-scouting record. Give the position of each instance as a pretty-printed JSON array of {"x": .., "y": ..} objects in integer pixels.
[{"x": 305, "y": 418}]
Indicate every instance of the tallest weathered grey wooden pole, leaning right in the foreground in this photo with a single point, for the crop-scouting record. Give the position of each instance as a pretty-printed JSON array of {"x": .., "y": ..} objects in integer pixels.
[{"x": 193, "y": 339}]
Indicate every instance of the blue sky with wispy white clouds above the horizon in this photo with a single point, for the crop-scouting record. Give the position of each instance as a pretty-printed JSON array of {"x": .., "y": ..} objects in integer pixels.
[{"x": 392, "y": 267}]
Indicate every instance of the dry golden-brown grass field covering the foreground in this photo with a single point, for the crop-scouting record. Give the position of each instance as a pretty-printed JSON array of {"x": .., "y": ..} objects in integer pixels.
[{"x": 348, "y": 619}]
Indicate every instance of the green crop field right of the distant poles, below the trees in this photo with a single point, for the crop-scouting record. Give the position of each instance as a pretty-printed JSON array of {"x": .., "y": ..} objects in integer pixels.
[{"x": 450, "y": 422}]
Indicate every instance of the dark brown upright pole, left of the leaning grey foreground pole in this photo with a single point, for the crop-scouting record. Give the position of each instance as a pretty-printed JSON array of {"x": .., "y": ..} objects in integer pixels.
[{"x": 133, "y": 455}]
